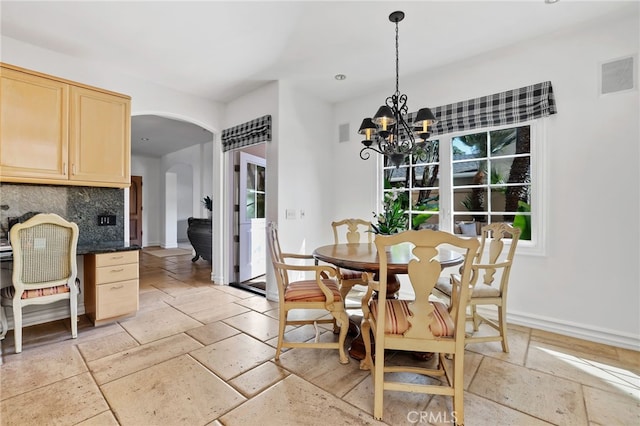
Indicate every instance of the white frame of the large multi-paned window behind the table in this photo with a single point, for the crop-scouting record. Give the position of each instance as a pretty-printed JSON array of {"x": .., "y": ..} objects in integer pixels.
[{"x": 539, "y": 192}]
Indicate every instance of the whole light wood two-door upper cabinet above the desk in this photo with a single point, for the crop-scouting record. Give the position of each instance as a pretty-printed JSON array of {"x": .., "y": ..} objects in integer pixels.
[{"x": 55, "y": 131}]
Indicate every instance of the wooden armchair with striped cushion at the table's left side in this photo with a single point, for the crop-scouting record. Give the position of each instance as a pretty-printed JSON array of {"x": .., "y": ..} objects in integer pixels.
[{"x": 297, "y": 292}]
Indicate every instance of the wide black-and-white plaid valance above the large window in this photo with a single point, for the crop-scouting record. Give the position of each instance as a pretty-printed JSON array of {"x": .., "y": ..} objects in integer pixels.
[{"x": 513, "y": 106}]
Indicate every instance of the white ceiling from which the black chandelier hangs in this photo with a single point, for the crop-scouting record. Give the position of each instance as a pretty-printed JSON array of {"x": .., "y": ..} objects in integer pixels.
[{"x": 223, "y": 49}]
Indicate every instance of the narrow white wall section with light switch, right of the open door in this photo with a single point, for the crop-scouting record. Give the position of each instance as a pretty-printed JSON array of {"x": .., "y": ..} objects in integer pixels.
[{"x": 306, "y": 176}]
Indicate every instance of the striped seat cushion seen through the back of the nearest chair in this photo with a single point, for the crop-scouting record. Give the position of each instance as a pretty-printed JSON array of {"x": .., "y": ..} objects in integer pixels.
[{"x": 396, "y": 321}]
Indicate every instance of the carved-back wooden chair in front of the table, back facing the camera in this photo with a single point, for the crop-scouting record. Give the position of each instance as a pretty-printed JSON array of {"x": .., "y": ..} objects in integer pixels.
[{"x": 417, "y": 325}]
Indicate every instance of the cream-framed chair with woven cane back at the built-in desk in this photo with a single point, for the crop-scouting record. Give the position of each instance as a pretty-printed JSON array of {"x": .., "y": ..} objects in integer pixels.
[{"x": 44, "y": 270}]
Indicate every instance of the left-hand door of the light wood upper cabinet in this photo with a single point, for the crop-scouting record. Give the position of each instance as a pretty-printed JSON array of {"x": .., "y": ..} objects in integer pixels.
[{"x": 33, "y": 126}]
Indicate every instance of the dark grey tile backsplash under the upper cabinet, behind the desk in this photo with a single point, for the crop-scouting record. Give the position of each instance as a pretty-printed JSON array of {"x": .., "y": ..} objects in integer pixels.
[{"x": 79, "y": 204}]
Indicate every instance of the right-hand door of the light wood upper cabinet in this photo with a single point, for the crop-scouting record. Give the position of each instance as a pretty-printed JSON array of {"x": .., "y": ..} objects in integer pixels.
[{"x": 100, "y": 136}]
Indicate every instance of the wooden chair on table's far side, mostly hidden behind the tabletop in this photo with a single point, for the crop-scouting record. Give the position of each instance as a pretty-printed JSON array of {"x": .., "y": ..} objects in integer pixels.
[{"x": 351, "y": 231}]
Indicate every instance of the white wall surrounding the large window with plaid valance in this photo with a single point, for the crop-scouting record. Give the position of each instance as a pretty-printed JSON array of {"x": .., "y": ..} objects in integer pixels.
[{"x": 587, "y": 283}]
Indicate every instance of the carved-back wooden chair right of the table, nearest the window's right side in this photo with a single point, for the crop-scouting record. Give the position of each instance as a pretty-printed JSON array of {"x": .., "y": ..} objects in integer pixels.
[{"x": 490, "y": 281}]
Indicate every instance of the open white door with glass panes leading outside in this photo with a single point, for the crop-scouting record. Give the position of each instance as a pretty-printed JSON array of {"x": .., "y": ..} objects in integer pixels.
[{"x": 253, "y": 253}]
